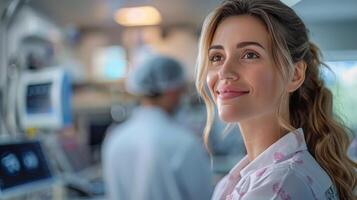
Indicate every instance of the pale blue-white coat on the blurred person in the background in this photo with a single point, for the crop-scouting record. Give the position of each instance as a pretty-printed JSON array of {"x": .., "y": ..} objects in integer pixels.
[{"x": 150, "y": 157}]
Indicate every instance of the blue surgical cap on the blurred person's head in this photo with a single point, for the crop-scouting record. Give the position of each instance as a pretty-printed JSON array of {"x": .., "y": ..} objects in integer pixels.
[{"x": 155, "y": 75}]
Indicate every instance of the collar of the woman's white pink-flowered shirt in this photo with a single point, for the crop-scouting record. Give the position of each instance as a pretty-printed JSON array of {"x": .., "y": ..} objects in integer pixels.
[{"x": 284, "y": 148}]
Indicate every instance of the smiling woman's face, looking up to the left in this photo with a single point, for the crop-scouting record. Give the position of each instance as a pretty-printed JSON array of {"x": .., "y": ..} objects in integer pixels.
[{"x": 241, "y": 75}]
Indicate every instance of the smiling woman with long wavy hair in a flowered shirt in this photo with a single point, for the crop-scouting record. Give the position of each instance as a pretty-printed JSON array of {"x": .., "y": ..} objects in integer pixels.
[{"x": 262, "y": 73}]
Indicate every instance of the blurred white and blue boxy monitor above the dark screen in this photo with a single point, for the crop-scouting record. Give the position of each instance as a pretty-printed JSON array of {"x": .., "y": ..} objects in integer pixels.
[{"x": 44, "y": 99}]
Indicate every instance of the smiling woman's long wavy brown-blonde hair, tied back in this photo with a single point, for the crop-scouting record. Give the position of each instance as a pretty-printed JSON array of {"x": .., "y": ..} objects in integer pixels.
[{"x": 310, "y": 106}]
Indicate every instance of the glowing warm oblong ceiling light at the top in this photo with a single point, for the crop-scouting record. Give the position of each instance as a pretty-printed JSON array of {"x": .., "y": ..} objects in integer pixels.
[{"x": 138, "y": 16}]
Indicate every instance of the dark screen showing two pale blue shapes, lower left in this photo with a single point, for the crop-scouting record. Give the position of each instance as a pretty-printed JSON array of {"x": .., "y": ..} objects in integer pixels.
[{"x": 22, "y": 163}]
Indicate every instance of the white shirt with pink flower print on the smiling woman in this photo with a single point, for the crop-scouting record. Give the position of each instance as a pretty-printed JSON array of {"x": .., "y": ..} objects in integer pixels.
[{"x": 284, "y": 171}]
